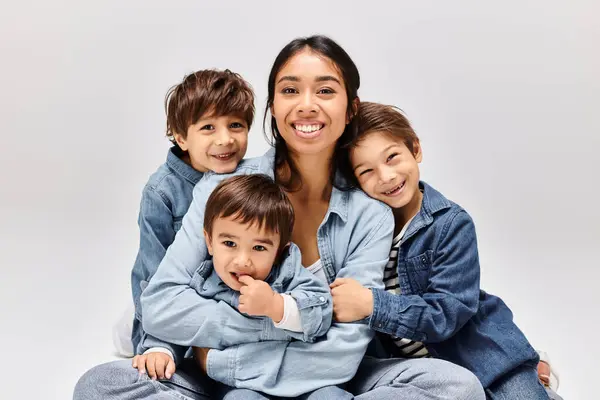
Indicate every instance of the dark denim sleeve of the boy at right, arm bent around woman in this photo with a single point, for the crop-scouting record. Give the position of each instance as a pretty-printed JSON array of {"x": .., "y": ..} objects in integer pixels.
[{"x": 452, "y": 295}]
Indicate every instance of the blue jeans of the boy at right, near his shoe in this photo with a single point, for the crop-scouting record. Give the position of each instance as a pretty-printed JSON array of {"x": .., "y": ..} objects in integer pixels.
[{"x": 520, "y": 384}]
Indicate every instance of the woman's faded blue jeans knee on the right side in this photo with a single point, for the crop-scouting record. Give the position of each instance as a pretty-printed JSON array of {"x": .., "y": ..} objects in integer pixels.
[{"x": 415, "y": 379}]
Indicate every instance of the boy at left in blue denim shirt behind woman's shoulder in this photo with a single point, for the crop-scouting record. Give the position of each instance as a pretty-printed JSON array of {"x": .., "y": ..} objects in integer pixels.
[{"x": 208, "y": 117}]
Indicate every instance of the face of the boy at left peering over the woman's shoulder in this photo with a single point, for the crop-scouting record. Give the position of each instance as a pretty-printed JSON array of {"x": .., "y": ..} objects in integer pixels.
[{"x": 215, "y": 143}]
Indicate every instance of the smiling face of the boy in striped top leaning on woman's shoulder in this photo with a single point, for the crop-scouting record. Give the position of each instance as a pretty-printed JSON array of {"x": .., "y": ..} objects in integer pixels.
[{"x": 386, "y": 169}]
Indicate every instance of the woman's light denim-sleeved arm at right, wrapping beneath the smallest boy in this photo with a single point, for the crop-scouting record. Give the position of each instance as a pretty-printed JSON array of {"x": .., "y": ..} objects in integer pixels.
[{"x": 287, "y": 369}]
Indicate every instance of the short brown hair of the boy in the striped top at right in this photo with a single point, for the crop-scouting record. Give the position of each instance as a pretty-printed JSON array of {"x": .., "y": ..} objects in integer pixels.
[{"x": 376, "y": 117}]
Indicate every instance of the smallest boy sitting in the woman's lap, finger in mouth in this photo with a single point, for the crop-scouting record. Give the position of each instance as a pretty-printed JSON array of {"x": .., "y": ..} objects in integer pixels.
[{"x": 248, "y": 224}]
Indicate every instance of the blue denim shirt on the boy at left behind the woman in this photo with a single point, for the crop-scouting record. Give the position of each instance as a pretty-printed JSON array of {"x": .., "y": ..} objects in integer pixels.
[{"x": 165, "y": 200}]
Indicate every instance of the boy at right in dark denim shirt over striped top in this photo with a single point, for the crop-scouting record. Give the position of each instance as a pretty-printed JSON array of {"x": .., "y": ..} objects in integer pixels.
[{"x": 432, "y": 278}]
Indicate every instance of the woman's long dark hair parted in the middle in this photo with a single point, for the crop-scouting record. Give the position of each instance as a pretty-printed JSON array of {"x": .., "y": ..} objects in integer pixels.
[{"x": 328, "y": 48}]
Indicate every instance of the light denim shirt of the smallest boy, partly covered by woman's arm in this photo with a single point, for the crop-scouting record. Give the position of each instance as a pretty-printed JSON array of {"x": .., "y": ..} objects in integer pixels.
[{"x": 311, "y": 294}]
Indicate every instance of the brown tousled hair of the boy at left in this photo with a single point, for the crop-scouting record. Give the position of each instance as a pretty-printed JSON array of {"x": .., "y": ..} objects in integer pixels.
[{"x": 207, "y": 91}]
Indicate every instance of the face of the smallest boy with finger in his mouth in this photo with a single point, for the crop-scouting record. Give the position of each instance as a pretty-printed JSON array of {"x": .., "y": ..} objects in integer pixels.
[{"x": 241, "y": 249}]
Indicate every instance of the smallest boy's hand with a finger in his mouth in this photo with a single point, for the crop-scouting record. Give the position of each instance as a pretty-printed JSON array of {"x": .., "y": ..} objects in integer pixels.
[{"x": 258, "y": 299}]
